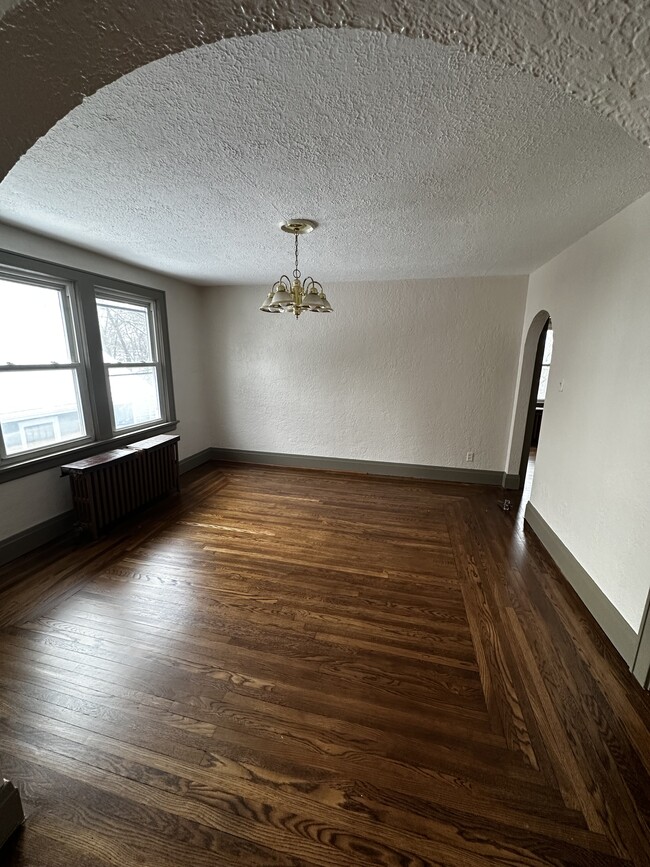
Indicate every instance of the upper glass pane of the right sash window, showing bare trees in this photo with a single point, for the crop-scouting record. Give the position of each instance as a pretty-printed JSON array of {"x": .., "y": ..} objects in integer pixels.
[{"x": 126, "y": 332}]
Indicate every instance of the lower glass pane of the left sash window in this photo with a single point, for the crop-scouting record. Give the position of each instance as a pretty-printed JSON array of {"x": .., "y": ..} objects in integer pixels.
[{"x": 39, "y": 408}]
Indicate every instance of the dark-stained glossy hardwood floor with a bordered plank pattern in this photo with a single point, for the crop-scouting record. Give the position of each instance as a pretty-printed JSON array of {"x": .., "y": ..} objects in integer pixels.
[{"x": 285, "y": 667}]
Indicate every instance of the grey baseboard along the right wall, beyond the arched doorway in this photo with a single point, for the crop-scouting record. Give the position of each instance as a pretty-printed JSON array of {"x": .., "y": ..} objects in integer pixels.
[{"x": 614, "y": 625}]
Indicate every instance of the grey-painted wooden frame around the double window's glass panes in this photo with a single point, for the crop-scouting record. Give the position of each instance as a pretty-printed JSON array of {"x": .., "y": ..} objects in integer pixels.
[{"x": 83, "y": 288}]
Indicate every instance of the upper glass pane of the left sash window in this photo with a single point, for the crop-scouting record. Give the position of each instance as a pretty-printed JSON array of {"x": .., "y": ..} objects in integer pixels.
[{"x": 32, "y": 325}]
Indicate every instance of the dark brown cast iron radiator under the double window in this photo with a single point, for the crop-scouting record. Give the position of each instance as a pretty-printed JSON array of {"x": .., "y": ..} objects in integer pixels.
[{"x": 109, "y": 486}]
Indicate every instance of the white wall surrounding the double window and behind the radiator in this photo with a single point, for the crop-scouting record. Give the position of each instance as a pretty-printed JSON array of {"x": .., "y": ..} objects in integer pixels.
[{"x": 33, "y": 499}]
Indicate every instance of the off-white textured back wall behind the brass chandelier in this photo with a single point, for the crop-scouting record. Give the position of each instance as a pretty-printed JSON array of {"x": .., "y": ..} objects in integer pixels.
[{"x": 417, "y": 372}]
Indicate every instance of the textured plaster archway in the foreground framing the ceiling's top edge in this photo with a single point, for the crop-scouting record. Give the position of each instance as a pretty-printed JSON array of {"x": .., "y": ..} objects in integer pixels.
[{"x": 53, "y": 53}]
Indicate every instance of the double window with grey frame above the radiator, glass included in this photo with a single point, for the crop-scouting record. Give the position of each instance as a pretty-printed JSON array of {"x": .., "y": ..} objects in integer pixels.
[{"x": 84, "y": 364}]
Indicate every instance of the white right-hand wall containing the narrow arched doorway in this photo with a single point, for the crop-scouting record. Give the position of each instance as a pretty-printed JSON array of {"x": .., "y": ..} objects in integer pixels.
[{"x": 592, "y": 473}]
